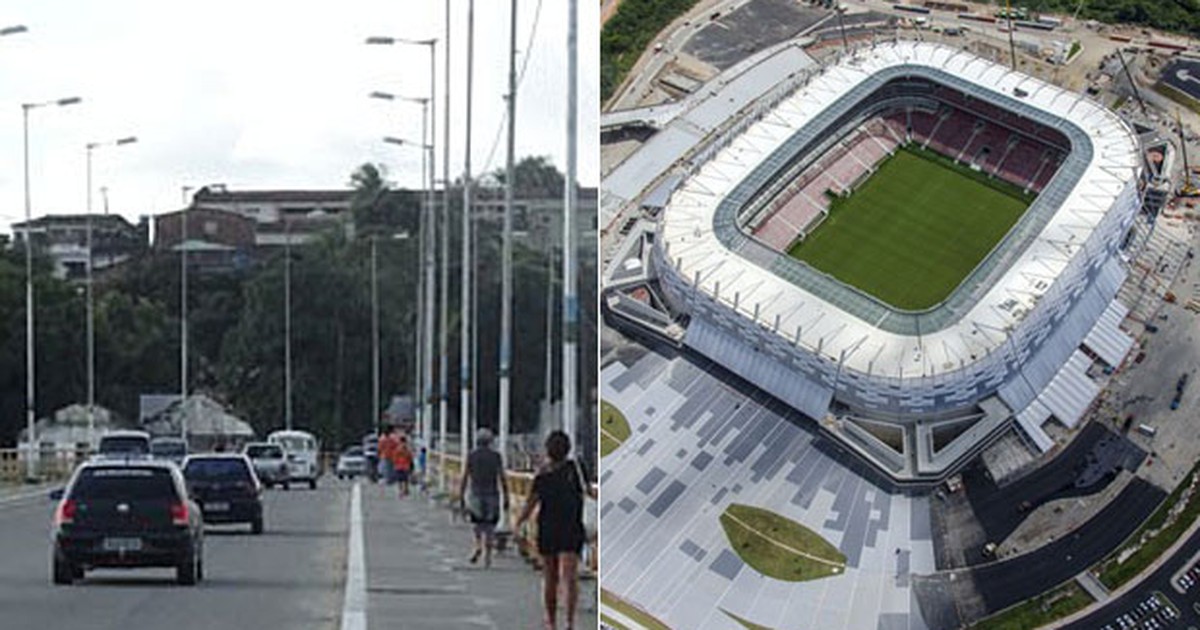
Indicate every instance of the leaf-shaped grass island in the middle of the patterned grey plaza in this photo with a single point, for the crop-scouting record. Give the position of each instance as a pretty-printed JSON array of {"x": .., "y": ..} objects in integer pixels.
[{"x": 765, "y": 542}]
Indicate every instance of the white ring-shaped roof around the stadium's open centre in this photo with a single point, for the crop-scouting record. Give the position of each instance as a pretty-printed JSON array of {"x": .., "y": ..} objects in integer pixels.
[{"x": 688, "y": 236}]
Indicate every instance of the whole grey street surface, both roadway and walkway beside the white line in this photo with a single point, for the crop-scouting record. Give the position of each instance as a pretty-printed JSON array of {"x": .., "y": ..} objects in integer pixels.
[{"x": 295, "y": 577}]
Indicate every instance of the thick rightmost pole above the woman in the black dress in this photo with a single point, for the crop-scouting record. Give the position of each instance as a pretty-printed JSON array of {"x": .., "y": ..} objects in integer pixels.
[{"x": 571, "y": 301}]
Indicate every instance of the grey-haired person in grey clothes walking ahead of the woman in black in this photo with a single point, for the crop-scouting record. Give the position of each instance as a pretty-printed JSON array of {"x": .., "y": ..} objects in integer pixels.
[{"x": 489, "y": 497}]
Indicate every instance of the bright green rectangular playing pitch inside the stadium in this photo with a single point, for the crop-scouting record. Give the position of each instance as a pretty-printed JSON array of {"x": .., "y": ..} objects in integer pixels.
[{"x": 915, "y": 230}]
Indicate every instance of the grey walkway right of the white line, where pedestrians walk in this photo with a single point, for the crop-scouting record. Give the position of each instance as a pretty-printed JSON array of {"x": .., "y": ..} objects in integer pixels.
[{"x": 418, "y": 577}]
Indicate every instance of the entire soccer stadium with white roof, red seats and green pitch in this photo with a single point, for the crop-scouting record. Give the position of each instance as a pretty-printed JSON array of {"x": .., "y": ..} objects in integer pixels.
[{"x": 914, "y": 247}]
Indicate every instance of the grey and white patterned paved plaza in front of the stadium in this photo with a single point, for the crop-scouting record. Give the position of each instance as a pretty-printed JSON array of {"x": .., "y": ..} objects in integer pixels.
[{"x": 701, "y": 446}]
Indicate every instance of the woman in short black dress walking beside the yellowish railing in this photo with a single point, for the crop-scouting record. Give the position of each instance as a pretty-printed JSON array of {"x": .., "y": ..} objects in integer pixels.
[{"x": 559, "y": 489}]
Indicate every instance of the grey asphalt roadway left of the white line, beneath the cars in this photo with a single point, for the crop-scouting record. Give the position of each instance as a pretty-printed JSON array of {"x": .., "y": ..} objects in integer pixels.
[{"x": 291, "y": 577}]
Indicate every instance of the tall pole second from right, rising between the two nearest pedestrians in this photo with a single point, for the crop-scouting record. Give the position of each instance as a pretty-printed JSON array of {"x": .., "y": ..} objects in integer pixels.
[{"x": 507, "y": 247}]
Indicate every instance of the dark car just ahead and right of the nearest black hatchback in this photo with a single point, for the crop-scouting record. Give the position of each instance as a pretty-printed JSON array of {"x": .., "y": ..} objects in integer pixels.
[{"x": 226, "y": 488}]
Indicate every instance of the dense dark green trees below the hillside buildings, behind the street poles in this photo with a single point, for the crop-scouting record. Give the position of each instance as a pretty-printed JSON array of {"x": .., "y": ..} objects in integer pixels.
[{"x": 237, "y": 328}]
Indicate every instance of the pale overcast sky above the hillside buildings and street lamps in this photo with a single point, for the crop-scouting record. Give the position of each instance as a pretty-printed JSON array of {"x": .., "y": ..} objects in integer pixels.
[{"x": 267, "y": 94}]
